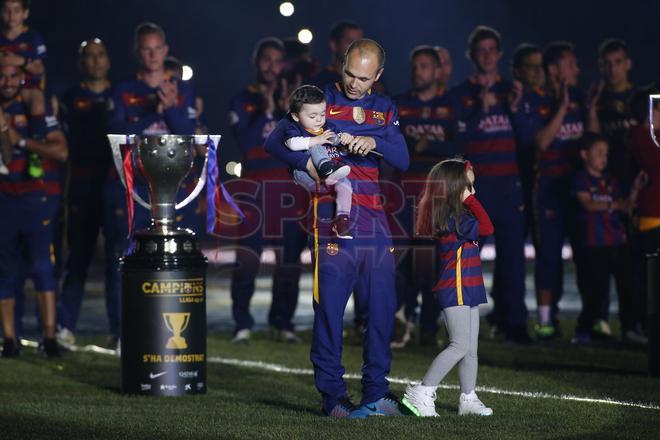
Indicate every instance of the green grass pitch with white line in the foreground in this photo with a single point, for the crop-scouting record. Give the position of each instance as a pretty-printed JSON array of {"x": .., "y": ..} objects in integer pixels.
[{"x": 77, "y": 397}]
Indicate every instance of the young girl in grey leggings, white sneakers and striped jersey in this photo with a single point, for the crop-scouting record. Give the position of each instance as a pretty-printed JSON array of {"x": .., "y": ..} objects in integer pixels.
[{"x": 449, "y": 211}]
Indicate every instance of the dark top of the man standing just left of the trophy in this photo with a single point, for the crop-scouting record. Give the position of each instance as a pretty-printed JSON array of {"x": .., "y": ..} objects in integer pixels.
[{"x": 84, "y": 114}]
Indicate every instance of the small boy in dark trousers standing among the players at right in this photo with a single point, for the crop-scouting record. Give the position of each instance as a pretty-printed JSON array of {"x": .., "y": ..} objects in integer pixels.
[{"x": 603, "y": 241}]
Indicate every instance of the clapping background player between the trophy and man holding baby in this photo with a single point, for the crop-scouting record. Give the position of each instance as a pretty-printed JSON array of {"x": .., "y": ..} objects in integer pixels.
[{"x": 253, "y": 115}]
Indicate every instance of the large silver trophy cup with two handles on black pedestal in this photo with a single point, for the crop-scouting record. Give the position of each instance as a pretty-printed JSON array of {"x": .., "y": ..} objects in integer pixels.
[{"x": 164, "y": 161}]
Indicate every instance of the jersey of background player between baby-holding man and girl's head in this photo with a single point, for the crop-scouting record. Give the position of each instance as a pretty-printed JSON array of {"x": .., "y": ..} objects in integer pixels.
[{"x": 430, "y": 122}]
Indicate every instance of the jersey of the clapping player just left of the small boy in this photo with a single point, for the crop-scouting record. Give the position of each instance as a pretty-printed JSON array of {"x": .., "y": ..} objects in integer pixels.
[{"x": 537, "y": 108}]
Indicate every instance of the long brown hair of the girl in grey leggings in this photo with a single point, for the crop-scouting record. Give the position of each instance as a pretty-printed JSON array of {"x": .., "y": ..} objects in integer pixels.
[{"x": 442, "y": 198}]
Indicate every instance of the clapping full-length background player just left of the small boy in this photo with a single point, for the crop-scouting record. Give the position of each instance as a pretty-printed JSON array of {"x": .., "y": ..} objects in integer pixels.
[{"x": 556, "y": 117}]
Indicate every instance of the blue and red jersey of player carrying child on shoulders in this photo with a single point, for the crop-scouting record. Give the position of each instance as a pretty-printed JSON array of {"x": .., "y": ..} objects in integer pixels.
[{"x": 18, "y": 181}]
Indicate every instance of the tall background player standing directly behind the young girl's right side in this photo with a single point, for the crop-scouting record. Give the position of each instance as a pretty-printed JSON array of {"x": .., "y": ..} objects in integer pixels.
[{"x": 486, "y": 135}]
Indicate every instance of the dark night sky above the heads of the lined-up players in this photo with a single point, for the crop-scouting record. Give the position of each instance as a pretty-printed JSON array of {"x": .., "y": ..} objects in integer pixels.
[{"x": 216, "y": 37}]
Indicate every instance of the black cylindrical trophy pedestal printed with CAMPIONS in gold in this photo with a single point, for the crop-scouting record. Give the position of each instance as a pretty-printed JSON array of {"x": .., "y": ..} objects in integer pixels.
[{"x": 164, "y": 276}]
